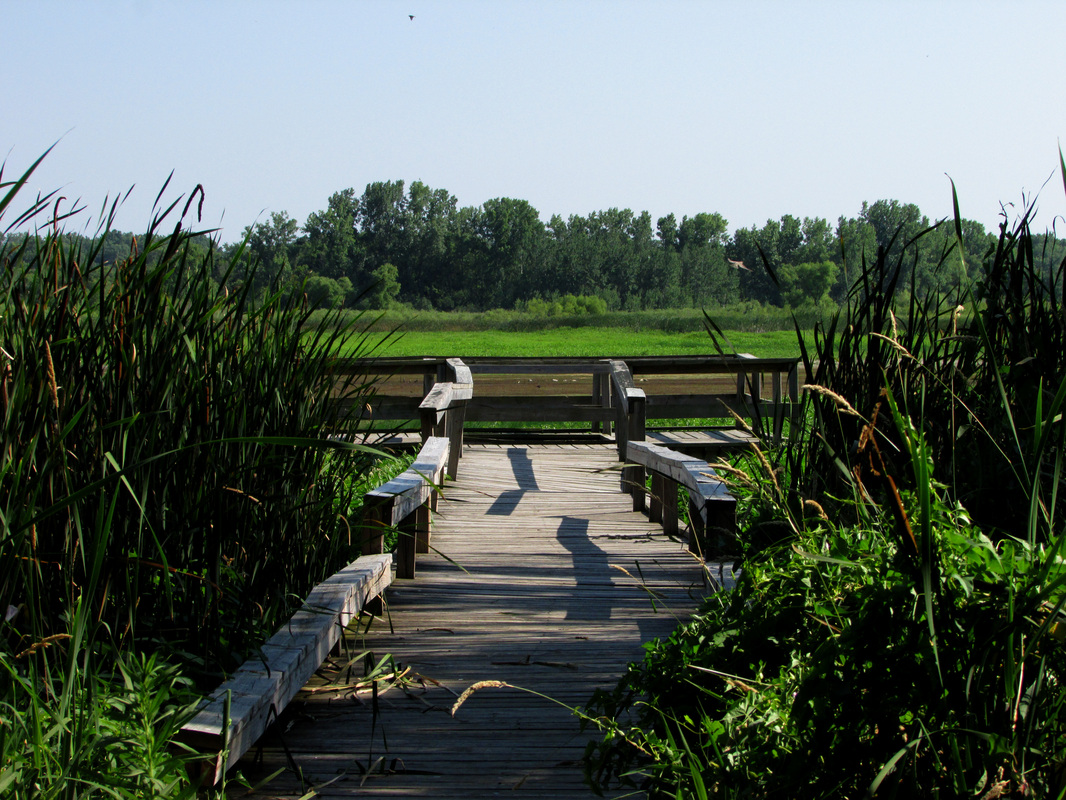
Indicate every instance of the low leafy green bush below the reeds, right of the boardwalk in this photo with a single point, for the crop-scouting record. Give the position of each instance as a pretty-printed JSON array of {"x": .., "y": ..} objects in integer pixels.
[{"x": 830, "y": 673}]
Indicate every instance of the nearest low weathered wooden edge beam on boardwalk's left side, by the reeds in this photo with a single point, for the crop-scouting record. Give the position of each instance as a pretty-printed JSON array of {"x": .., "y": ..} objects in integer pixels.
[{"x": 264, "y": 685}]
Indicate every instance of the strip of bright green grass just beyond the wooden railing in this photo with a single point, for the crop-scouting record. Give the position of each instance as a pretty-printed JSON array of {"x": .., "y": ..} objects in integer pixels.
[{"x": 583, "y": 342}]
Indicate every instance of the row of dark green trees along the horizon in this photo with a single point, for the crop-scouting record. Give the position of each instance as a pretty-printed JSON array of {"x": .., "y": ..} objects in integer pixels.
[{"x": 414, "y": 246}]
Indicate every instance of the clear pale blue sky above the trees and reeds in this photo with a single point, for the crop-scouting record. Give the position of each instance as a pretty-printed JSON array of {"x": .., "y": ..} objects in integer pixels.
[{"x": 753, "y": 110}]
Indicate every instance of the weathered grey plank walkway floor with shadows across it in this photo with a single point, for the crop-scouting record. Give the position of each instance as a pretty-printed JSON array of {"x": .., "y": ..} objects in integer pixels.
[{"x": 553, "y": 585}]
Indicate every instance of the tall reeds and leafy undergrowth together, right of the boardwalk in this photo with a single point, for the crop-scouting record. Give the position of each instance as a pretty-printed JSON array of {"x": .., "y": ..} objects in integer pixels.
[{"x": 906, "y": 638}]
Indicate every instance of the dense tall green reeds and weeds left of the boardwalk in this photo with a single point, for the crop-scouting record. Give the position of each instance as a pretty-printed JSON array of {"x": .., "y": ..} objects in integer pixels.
[{"x": 169, "y": 491}]
